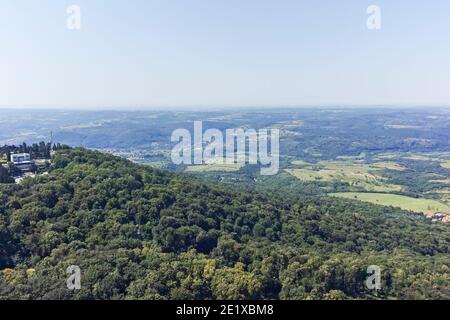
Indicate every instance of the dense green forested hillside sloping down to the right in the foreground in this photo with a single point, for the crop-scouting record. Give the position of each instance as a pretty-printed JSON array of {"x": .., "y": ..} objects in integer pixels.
[{"x": 141, "y": 233}]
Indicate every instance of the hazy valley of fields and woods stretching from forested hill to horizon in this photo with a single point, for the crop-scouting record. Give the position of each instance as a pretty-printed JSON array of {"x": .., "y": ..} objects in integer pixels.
[{"x": 330, "y": 150}]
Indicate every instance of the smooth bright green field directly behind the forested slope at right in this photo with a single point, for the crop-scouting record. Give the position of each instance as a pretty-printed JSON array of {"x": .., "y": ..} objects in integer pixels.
[{"x": 426, "y": 206}]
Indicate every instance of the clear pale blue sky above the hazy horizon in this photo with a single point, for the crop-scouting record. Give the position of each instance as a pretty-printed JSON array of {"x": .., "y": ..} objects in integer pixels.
[{"x": 211, "y": 53}]
